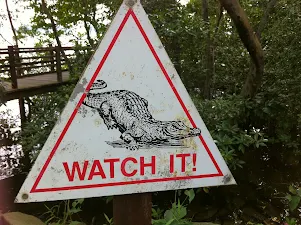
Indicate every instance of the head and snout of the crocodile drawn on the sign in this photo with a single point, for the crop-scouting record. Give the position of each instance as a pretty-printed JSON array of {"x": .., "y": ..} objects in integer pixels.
[{"x": 178, "y": 130}]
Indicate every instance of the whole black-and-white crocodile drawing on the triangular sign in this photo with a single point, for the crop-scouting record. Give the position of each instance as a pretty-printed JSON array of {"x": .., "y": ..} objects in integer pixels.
[{"x": 128, "y": 112}]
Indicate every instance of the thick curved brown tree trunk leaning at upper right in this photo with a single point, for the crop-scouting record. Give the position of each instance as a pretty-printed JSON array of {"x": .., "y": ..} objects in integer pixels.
[{"x": 251, "y": 42}]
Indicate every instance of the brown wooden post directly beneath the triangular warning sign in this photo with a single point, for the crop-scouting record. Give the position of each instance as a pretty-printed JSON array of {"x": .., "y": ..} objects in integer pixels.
[{"x": 132, "y": 209}]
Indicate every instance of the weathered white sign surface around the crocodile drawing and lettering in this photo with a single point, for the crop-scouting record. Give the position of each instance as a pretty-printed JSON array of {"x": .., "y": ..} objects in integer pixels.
[{"x": 130, "y": 65}]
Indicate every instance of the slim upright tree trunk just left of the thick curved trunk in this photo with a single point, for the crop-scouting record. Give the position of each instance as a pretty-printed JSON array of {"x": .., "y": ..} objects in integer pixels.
[{"x": 208, "y": 53}]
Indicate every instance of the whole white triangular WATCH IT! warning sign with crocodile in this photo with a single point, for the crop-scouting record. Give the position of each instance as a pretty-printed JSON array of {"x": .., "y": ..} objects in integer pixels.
[{"x": 129, "y": 127}]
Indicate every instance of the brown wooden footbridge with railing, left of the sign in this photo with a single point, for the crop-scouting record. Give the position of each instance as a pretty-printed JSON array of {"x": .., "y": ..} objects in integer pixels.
[{"x": 31, "y": 69}]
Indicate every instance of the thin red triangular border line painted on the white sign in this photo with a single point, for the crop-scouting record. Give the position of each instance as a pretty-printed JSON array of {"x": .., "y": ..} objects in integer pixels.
[{"x": 38, "y": 179}]
